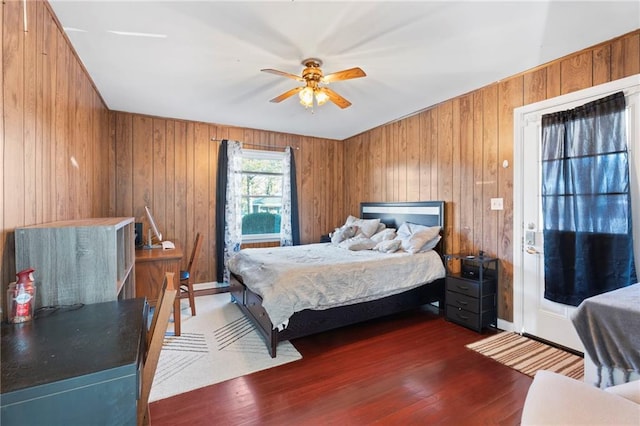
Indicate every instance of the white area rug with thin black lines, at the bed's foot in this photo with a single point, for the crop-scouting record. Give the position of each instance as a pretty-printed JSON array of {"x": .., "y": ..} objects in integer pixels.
[{"x": 217, "y": 344}]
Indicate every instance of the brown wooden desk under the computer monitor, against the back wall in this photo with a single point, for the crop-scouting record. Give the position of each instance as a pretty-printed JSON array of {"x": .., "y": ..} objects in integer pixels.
[{"x": 151, "y": 264}]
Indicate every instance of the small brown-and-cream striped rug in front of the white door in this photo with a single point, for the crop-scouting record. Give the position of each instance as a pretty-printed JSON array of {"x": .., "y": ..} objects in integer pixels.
[{"x": 528, "y": 355}]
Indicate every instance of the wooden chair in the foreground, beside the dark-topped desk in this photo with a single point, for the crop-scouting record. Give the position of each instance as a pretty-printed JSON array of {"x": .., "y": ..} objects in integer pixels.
[{"x": 155, "y": 337}]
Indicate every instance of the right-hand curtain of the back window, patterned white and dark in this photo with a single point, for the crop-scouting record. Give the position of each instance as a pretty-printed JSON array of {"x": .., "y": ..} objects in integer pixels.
[{"x": 289, "y": 223}]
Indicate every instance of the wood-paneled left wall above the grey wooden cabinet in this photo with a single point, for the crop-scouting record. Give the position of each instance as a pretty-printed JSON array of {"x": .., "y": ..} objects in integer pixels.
[{"x": 55, "y": 129}]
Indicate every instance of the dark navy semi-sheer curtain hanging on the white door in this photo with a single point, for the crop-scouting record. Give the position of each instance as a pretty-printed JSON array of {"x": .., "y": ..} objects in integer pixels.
[{"x": 588, "y": 245}]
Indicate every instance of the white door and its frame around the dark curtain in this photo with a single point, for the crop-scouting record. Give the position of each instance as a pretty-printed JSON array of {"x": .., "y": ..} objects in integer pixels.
[{"x": 533, "y": 314}]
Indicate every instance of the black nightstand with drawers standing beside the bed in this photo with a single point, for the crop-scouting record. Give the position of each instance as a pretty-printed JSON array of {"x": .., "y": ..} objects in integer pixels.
[{"x": 471, "y": 286}]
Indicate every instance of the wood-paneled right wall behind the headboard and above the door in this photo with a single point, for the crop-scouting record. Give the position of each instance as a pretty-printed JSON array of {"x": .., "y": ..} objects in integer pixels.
[{"x": 454, "y": 152}]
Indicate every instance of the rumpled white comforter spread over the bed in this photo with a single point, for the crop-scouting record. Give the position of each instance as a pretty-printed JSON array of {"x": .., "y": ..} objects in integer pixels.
[{"x": 322, "y": 276}]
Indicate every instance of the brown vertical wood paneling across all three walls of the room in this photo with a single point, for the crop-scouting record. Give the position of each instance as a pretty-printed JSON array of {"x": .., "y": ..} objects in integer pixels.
[{"x": 65, "y": 156}]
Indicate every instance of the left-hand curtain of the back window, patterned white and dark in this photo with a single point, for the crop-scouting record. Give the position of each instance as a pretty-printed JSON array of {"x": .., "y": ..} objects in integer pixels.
[{"x": 228, "y": 206}]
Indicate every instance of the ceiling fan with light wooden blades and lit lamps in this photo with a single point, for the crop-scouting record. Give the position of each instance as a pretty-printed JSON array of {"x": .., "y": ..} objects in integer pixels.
[{"x": 313, "y": 77}]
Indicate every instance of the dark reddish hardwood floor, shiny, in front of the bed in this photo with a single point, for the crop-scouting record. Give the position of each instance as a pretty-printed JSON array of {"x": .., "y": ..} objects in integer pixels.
[{"x": 410, "y": 368}]
